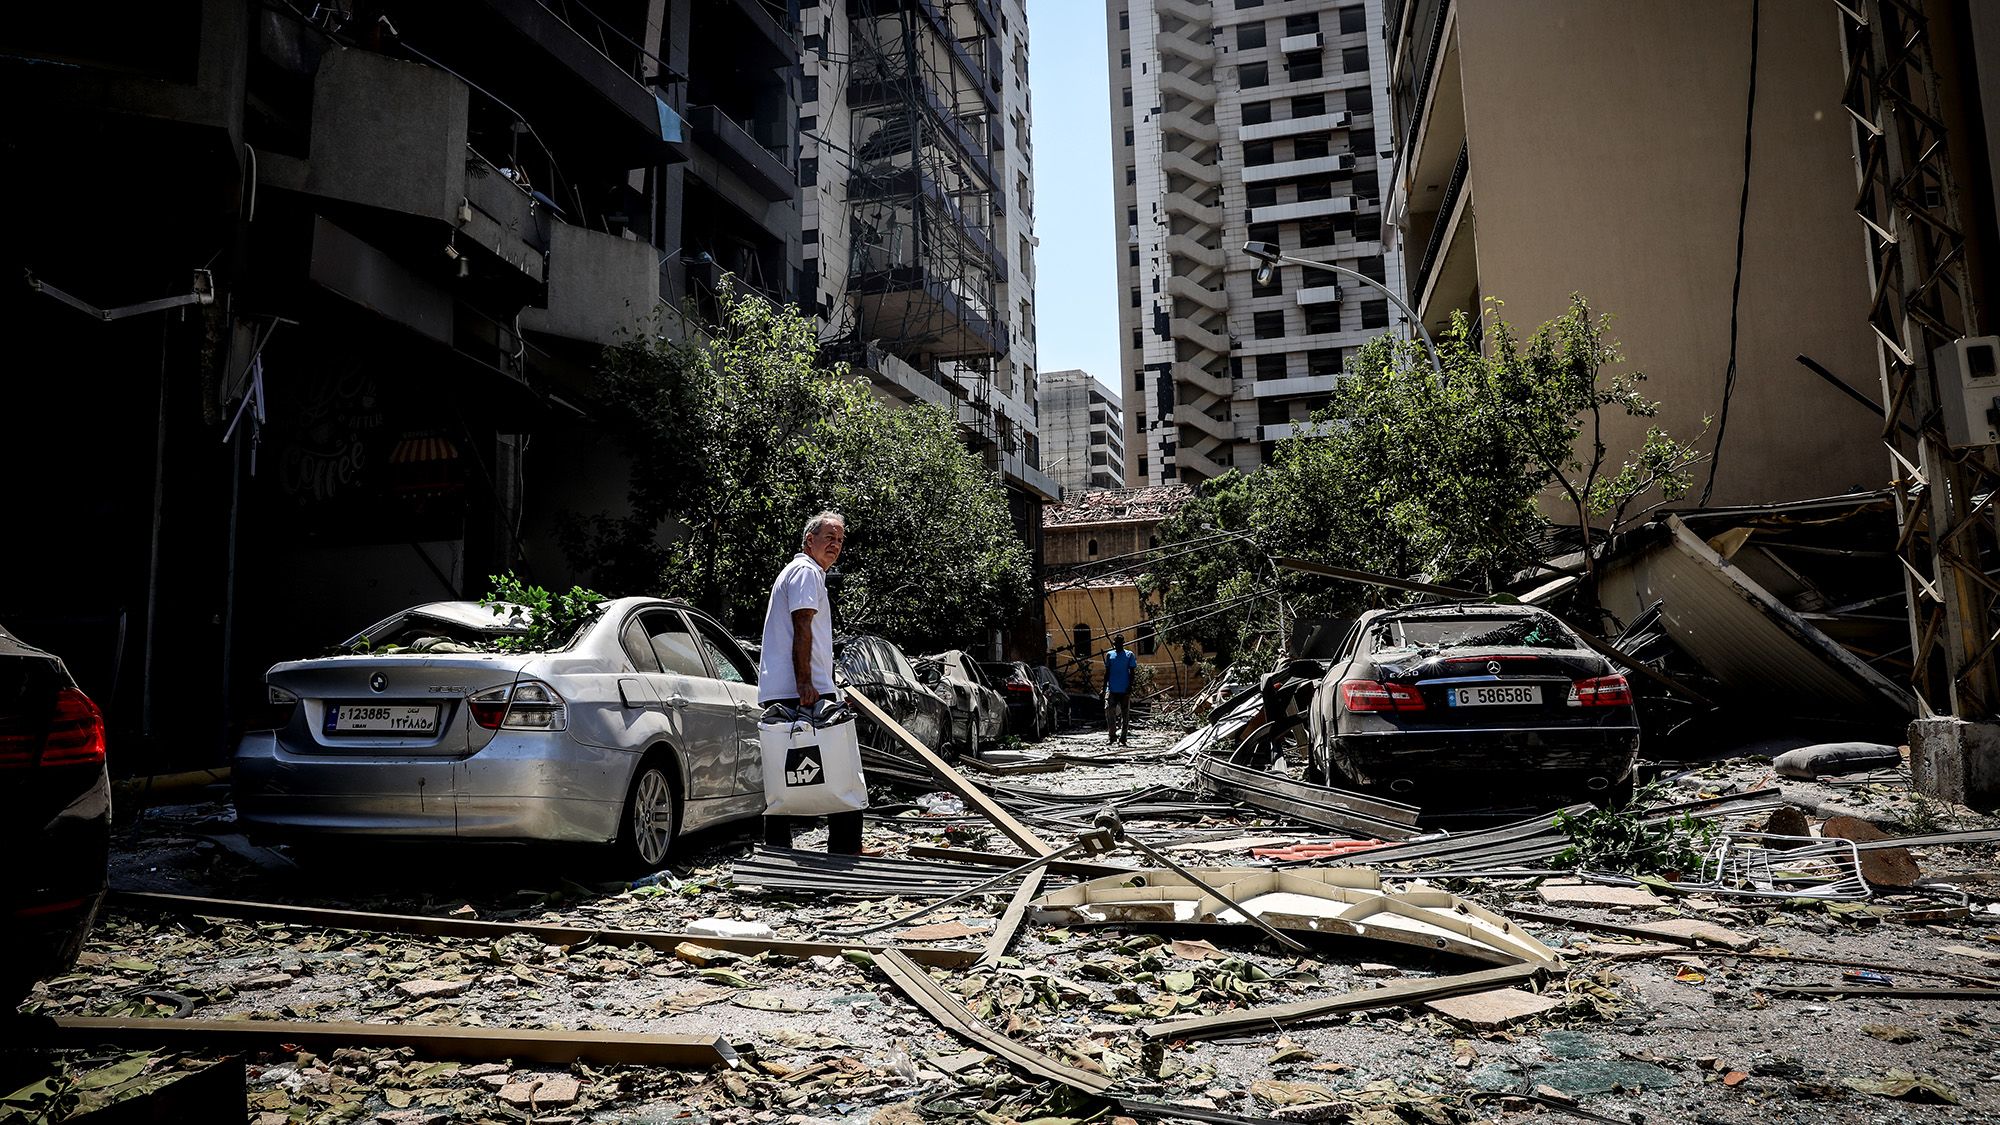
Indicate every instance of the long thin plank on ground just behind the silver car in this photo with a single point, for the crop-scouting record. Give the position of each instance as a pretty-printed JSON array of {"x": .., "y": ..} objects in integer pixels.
[{"x": 473, "y": 928}]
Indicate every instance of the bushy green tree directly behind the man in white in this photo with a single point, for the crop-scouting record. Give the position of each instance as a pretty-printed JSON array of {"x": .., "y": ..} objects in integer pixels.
[{"x": 739, "y": 435}]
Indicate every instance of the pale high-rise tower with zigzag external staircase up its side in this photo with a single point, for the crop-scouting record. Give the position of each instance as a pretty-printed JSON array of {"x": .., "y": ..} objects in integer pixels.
[{"x": 1243, "y": 121}]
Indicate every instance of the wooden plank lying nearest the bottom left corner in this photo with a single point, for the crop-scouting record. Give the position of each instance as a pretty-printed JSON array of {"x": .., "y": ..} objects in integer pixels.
[{"x": 483, "y": 1044}]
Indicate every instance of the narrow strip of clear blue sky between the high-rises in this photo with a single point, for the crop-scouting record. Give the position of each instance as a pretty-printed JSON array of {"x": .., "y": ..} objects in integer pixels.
[{"x": 1077, "y": 263}]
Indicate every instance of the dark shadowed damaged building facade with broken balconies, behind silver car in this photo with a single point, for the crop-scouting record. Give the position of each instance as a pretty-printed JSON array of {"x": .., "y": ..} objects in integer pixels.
[{"x": 401, "y": 233}]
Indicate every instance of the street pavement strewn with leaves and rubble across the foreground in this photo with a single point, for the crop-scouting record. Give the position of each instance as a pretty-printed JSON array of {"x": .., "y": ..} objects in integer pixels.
[{"x": 1675, "y": 1036}]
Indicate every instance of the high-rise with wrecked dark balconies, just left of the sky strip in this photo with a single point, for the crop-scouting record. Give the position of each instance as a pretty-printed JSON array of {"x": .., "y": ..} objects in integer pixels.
[{"x": 919, "y": 213}]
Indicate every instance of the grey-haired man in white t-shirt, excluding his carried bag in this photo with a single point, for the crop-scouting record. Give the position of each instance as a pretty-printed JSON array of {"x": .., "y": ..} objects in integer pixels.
[{"x": 799, "y": 656}]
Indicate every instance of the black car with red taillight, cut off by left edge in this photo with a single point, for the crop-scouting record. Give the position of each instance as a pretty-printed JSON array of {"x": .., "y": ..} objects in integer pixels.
[{"x": 59, "y": 816}]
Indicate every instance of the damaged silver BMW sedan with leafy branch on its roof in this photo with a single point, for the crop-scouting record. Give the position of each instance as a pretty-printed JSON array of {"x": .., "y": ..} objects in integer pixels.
[{"x": 627, "y": 734}]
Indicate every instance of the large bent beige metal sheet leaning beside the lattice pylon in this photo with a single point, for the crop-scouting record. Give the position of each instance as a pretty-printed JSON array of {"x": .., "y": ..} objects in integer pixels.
[{"x": 1743, "y": 636}]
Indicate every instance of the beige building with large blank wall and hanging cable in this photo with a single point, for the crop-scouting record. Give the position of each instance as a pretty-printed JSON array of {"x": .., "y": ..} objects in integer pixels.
[{"x": 1579, "y": 147}]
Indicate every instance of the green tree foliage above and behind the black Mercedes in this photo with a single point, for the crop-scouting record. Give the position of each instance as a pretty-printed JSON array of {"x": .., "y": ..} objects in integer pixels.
[{"x": 1445, "y": 481}]
